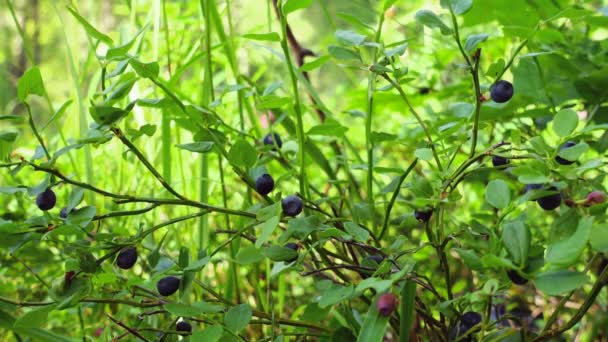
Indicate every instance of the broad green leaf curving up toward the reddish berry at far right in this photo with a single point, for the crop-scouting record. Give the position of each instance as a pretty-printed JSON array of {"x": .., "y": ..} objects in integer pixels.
[{"x": 566, "y": 252}]
